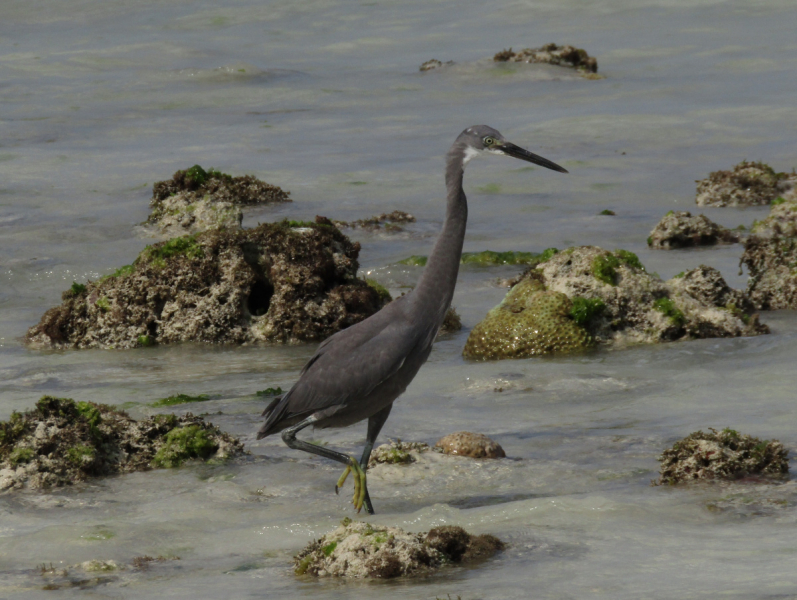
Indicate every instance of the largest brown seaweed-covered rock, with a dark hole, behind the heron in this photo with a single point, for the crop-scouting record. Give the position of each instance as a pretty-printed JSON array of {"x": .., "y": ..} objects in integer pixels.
[{"x": 284, "y": 282}]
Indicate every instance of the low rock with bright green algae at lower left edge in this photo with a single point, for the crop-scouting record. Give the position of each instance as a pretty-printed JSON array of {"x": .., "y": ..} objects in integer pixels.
[{"x": 61, "y": 442}]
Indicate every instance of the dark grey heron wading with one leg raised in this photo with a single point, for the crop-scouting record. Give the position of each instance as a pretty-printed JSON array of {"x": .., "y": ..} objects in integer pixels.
[{"x": 358, "y": 373}]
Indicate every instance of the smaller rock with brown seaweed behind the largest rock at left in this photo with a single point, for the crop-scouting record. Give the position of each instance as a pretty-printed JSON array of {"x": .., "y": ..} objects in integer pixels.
[{"x": 195, "y": 200}]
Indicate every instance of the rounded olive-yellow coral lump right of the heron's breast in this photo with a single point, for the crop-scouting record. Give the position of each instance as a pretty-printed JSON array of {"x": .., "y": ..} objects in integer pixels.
[{"x": 529, "y": 321}]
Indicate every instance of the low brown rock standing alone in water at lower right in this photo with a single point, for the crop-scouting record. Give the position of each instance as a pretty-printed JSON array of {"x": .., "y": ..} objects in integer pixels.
[{"x": 725, "y": 454}]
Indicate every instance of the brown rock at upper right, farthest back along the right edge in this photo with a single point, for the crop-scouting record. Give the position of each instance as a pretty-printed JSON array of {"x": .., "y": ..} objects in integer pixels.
[{"x": 747, "y": 184}]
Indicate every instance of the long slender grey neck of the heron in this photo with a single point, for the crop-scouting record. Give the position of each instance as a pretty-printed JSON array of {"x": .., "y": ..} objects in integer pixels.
[{"x": 436, "y": 286}]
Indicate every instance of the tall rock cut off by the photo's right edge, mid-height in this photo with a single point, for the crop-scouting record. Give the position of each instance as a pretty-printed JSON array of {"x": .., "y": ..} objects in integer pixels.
[{"x": 770, "y": 254}]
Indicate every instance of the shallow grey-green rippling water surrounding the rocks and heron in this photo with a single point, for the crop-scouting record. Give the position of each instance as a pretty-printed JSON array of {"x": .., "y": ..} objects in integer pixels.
[{"x": 99, "y": 100}]
